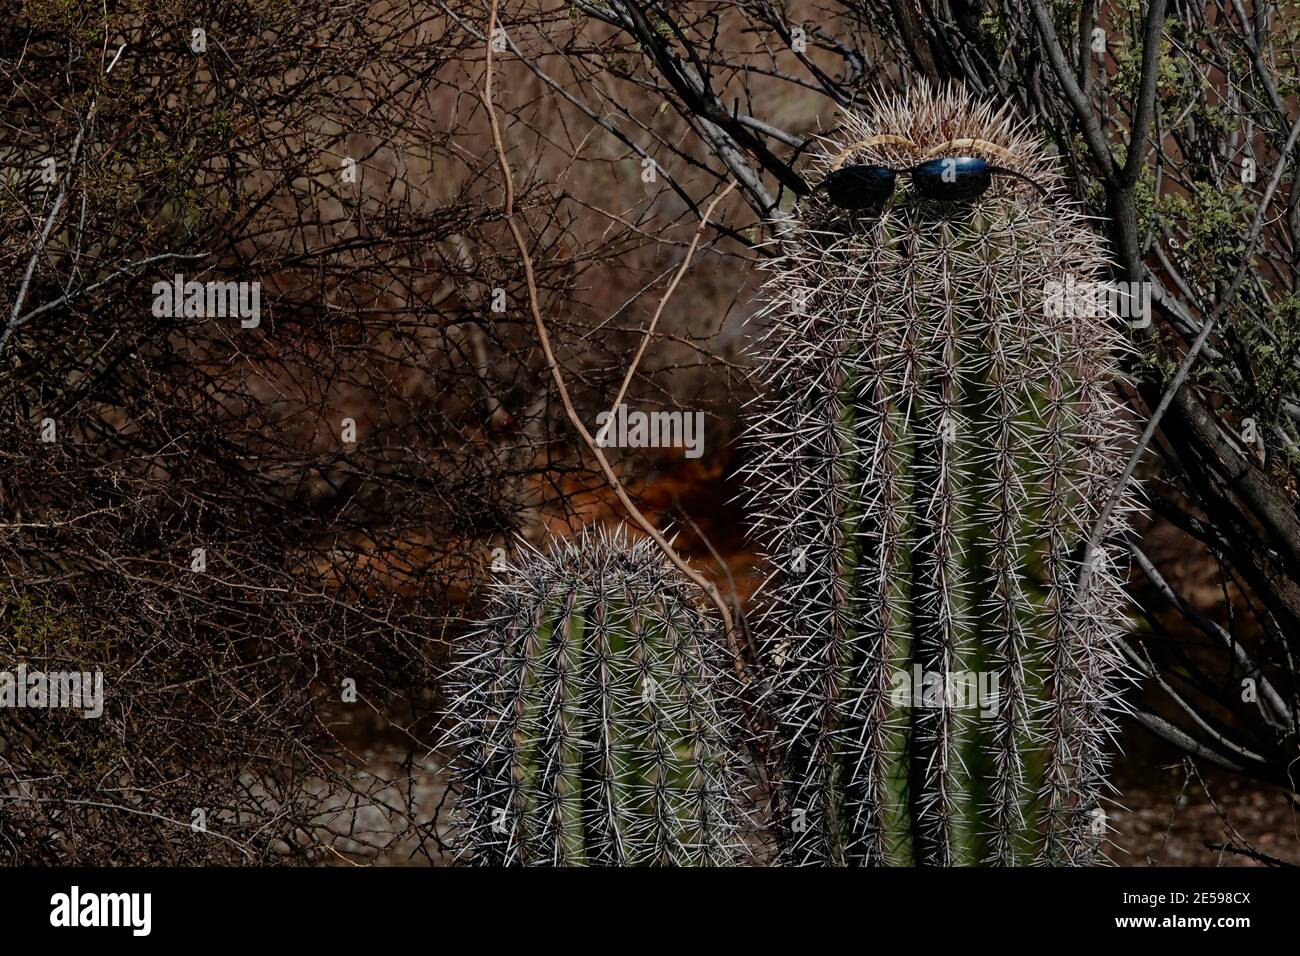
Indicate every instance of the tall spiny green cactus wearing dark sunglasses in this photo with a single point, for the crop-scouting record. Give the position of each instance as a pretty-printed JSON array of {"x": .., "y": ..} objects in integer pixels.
[{"x": 937, "y": 440}]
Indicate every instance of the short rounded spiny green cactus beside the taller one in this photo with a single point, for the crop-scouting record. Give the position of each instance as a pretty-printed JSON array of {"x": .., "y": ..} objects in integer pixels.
[{"x": 588, "y": 712}]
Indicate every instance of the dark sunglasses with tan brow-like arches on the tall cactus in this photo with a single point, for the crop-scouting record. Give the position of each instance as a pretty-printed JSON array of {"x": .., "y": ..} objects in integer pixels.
[{"x": 943, "y": 179}]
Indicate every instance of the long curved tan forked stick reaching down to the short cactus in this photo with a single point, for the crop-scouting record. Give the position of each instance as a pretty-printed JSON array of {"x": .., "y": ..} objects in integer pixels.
[{"x": 544, "y": 338}]
